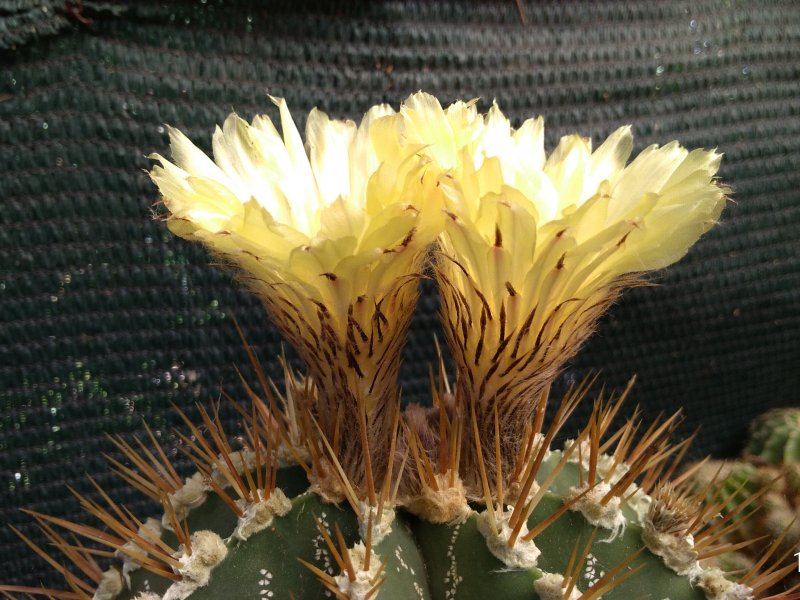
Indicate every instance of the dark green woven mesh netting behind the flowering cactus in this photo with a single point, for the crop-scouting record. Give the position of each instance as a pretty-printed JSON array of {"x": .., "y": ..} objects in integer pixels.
[{"x": 106, "y": 319}]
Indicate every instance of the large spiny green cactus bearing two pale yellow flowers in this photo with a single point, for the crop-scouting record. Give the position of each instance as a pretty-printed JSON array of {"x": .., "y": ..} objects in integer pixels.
[{"x": 338, "y": 492}]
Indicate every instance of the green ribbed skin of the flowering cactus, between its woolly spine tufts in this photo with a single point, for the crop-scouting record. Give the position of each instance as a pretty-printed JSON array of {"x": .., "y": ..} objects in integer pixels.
[{"x": 422, "y": 560}]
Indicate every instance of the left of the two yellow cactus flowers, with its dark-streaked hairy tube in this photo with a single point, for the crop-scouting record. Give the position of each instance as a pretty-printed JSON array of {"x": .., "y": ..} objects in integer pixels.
[{"x": 332, "y": 240}]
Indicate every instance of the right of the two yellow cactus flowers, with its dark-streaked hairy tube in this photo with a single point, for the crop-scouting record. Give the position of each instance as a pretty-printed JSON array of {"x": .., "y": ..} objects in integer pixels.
[{"x": 535, "y": 248}]
